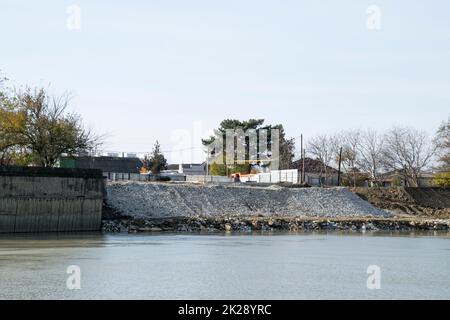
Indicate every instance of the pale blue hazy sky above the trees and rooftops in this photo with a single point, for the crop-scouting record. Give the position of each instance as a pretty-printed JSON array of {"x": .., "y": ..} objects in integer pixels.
[{"x": 171, "y": 70}]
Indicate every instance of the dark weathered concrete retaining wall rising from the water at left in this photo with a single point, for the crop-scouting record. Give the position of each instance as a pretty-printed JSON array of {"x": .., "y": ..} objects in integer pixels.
[{"x": 41, "y": 200}]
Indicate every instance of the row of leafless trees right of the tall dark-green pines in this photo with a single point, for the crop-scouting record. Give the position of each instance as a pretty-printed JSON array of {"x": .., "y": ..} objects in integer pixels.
[{"x": 367, "y": 154}]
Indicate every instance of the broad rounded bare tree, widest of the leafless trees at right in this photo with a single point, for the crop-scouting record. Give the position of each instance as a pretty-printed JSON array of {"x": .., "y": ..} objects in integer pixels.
[{"x": 409, "y": 152}]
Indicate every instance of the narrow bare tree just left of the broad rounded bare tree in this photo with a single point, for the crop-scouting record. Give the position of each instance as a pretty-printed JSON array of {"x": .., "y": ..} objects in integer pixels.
[{"x": 371, "y": 154}]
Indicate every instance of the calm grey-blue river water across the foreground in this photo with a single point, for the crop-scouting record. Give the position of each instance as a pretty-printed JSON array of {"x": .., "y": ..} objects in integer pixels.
[{"x": 226, "y": 266}]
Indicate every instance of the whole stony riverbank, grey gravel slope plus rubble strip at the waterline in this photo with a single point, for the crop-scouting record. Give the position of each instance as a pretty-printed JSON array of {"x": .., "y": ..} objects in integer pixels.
[{"x": 162, "y": 207}]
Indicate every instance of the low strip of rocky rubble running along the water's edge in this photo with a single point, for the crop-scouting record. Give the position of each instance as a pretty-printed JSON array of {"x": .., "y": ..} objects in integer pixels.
[{"x": 232, "y": 223}]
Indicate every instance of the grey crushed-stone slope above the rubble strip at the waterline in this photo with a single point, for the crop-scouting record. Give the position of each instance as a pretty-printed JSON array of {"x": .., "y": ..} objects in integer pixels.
[{"x": 164, "y": 200}]
